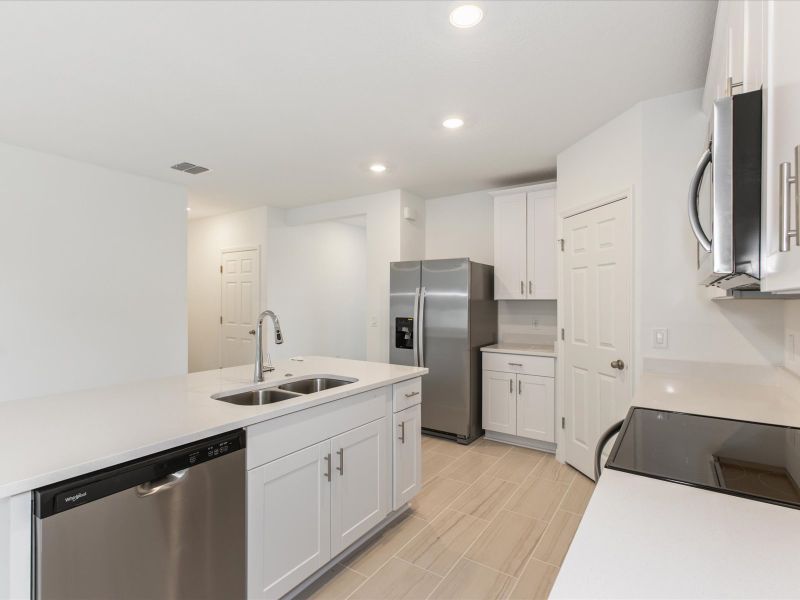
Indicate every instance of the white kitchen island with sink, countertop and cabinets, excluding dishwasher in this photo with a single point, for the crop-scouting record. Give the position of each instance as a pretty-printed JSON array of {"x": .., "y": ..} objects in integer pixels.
[{"x": 63, "y": 436}]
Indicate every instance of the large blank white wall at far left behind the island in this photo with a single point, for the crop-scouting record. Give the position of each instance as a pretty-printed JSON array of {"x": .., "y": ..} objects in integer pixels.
[{"x": 94, "y": 264}]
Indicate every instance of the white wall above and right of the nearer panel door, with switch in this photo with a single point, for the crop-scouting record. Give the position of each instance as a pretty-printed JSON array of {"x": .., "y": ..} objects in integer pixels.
[{"x": 653, "y": 149}]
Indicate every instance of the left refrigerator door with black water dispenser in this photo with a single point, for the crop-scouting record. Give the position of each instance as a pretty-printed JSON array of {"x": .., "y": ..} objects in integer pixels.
[{"x": 404, "y": 282}]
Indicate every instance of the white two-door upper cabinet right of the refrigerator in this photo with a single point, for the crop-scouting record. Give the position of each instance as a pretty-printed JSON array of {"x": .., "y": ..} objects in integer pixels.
[{"x": 525, "y": 244}]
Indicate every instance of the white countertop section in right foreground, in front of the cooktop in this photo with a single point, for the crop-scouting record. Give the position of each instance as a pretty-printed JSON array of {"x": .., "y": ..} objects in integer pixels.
[{"x": 645, "y": 538}]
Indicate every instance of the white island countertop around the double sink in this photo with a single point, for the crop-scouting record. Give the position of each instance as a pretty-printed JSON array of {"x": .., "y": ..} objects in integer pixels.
[{"x": 57, "y": 437}]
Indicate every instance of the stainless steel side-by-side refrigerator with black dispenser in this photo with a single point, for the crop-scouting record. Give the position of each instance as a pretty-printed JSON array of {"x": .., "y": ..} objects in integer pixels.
[{"x": 441, "y": 313}]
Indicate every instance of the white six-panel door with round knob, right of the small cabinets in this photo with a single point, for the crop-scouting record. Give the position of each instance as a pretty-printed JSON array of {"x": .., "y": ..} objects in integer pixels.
[{"x": 597, "y": 322}]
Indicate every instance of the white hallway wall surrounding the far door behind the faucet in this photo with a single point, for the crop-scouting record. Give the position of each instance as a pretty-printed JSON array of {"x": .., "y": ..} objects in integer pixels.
[{"x": 206, "y": 239}]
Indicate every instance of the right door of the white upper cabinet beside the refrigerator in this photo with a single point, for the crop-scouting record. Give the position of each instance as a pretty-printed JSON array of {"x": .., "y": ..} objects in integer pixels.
[{"x": 541, "y": 284}]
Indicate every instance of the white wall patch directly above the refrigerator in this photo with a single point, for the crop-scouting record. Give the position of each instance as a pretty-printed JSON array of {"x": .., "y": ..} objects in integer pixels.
[{"x": 461, "y": 225}]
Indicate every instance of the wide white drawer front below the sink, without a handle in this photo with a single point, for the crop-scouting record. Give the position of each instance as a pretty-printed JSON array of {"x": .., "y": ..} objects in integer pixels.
[{"x": 281, "y": 436}]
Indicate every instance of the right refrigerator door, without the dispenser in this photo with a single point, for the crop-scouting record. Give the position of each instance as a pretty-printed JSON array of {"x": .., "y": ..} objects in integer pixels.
[{"x": 445, "y": 345}]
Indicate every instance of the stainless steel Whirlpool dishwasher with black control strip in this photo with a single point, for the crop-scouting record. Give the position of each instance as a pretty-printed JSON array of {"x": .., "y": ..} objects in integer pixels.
[{"x": 167, "y": 526}]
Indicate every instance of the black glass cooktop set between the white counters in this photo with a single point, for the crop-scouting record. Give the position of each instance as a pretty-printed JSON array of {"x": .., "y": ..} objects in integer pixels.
[{"x": 753, "y": 460}]
